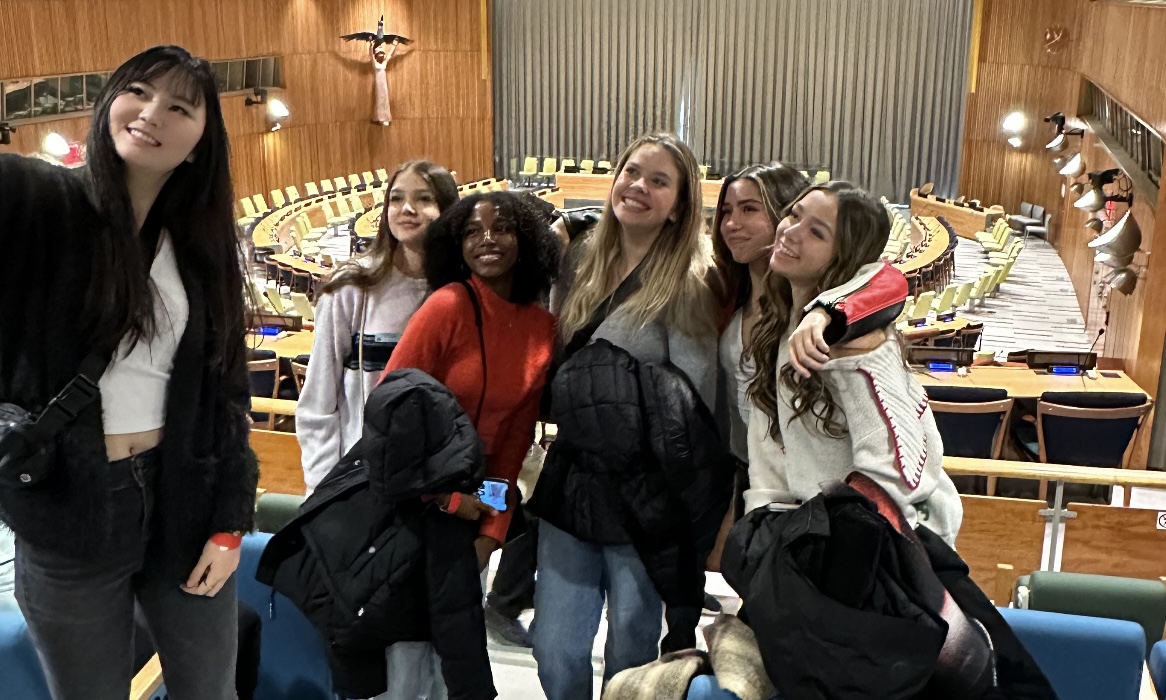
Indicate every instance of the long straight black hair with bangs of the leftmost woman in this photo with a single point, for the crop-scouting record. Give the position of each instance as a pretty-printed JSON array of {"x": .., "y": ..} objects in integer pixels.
[{"x": 195, "y": 207}]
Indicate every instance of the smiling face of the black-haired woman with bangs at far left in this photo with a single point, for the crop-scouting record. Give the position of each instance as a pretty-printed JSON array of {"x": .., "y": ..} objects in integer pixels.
[{"x": 157, "y": 125}]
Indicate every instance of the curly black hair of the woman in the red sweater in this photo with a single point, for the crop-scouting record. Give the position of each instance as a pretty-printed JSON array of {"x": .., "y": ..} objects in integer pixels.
[{"x": 538, "y": 247}]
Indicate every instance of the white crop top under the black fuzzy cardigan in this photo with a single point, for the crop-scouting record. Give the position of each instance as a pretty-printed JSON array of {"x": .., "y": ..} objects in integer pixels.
[{"x": 135, "y": 387}]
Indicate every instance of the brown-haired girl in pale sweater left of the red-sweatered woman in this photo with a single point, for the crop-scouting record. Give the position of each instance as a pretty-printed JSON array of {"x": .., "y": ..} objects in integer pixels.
[{"x": 370, "y": 298}]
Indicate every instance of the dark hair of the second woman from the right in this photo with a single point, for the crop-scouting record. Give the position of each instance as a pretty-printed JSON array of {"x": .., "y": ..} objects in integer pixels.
[{"x": 779, "y": 186}]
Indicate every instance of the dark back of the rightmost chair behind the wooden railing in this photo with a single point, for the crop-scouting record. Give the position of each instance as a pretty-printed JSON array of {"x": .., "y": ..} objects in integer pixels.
[{"x": 1088, "y": 429}]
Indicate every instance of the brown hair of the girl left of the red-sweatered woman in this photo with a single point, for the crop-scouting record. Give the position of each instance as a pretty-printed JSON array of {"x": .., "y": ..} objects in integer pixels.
[{"x": 384, "y": 248}]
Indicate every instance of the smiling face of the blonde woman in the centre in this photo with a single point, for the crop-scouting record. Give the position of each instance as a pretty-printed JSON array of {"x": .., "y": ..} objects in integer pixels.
[{"x": 648, "y": 190}]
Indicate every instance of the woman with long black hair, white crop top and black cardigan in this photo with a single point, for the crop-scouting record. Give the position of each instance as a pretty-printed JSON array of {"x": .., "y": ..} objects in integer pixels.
[{"x": 151, "y": 486}]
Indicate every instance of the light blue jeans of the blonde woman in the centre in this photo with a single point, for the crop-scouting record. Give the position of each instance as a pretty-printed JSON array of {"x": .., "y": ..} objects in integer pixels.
[{"x": 573, "y": 582}]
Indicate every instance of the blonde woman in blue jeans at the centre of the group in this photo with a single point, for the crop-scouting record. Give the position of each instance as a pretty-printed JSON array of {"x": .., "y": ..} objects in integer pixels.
[{"x": 636, "y": 281}]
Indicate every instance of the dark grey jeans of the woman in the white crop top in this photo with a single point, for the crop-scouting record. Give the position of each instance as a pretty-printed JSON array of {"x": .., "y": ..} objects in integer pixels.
[{"x": 81, "y": 614}]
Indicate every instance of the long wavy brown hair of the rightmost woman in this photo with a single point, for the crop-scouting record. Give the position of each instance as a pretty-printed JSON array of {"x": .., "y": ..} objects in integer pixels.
[{"x": 861, "y": 235}]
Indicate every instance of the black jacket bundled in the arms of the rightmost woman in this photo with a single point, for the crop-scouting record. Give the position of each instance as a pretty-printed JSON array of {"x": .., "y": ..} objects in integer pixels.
[{"x": 847, "y": 606}]
